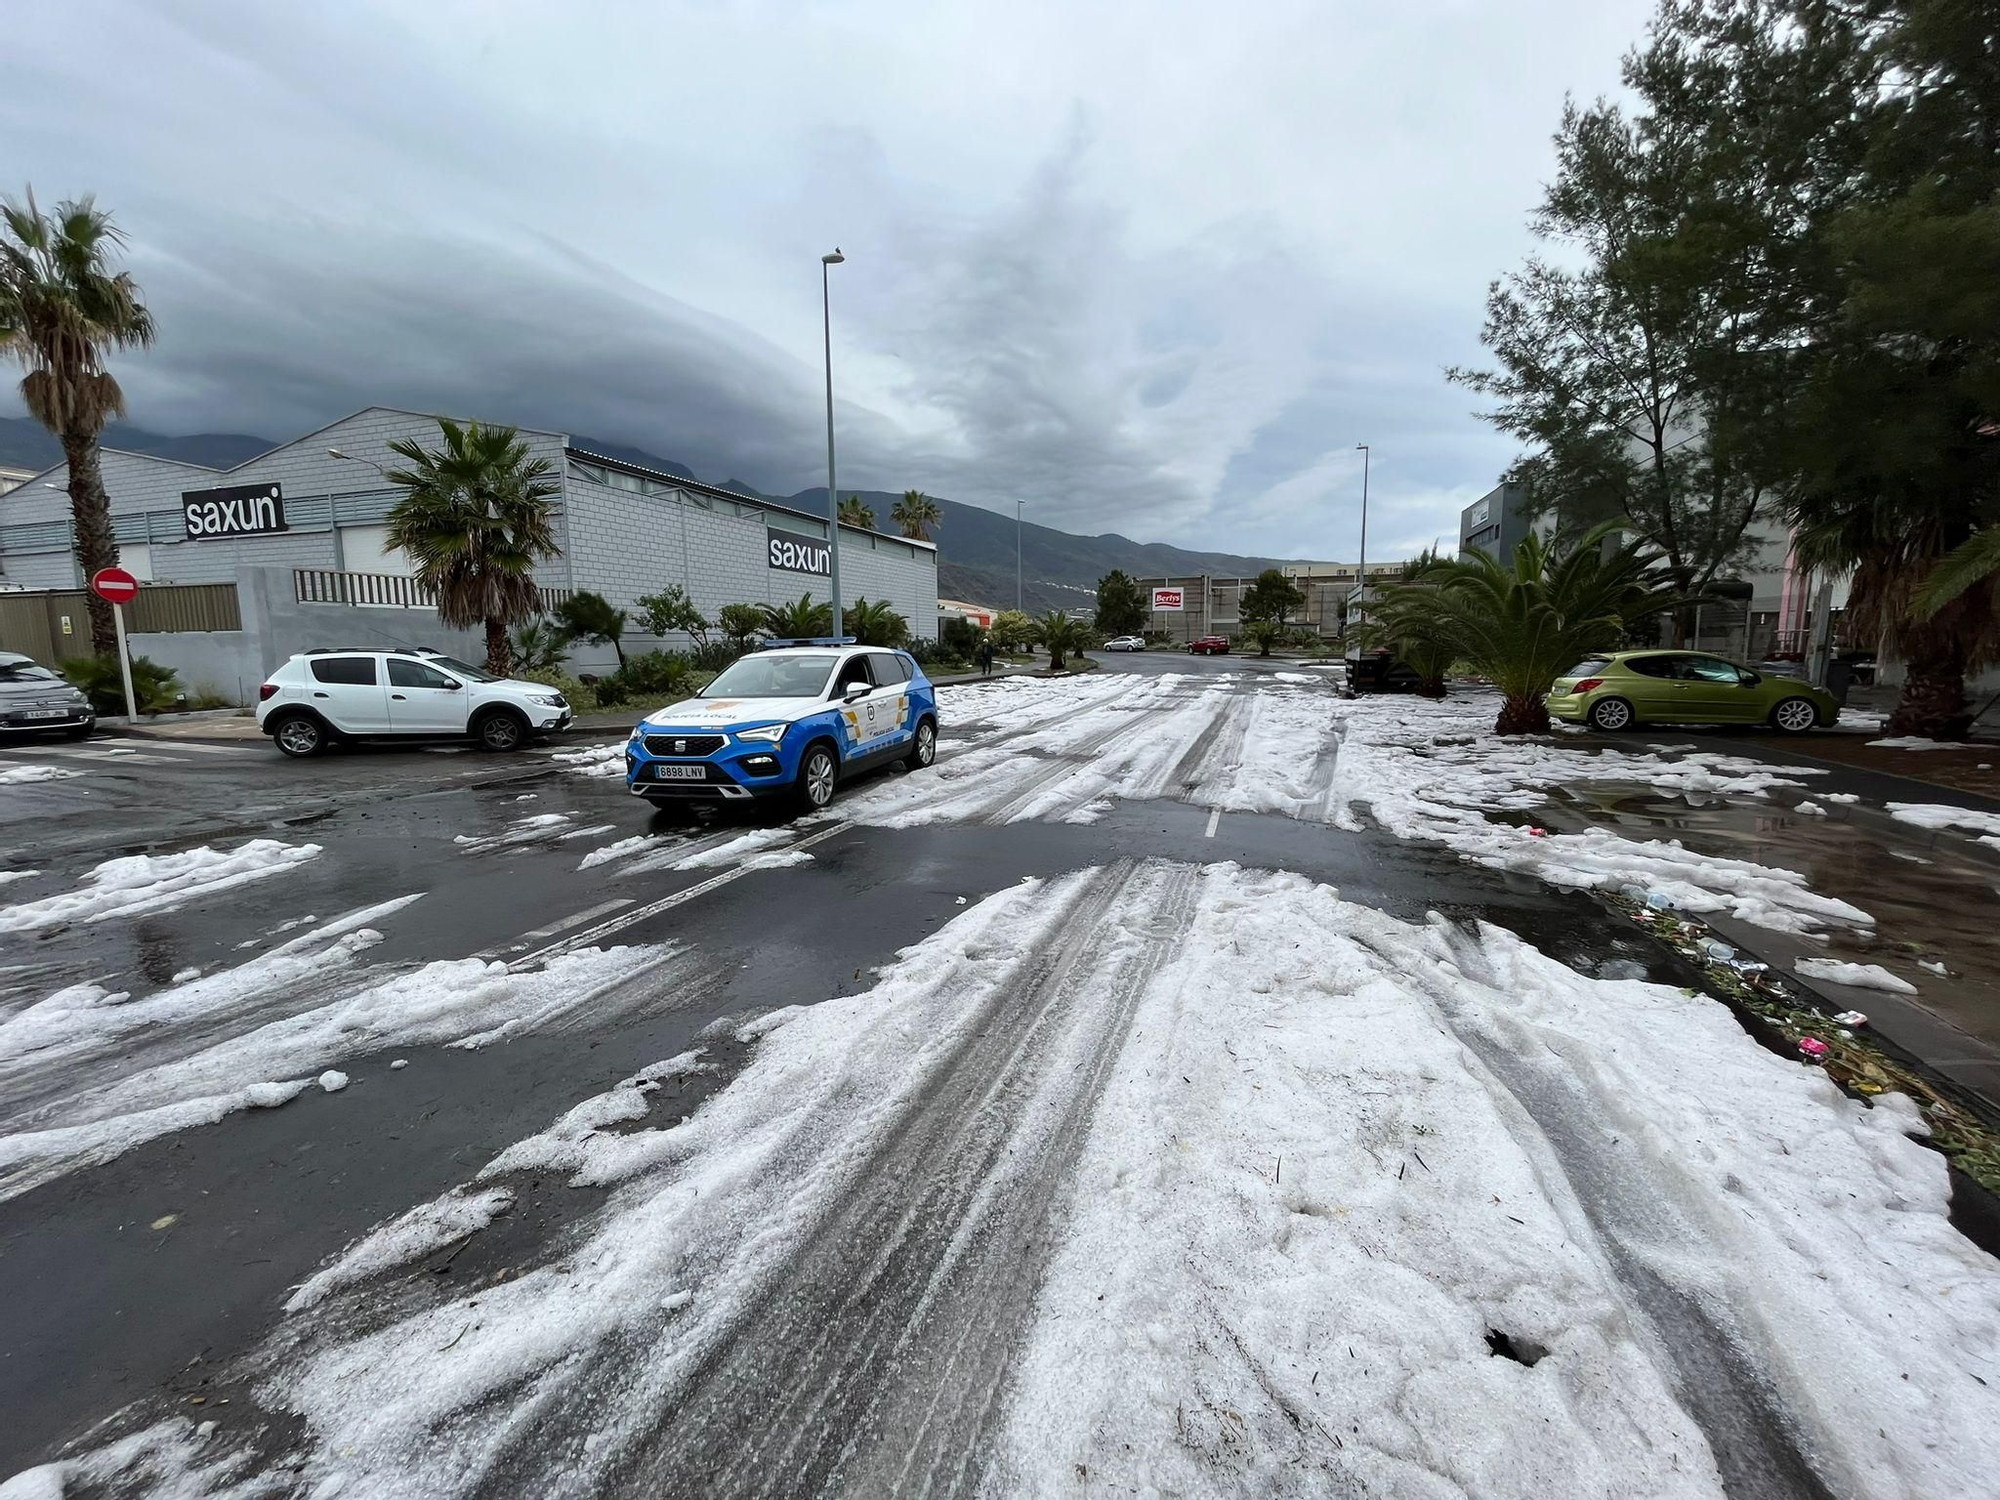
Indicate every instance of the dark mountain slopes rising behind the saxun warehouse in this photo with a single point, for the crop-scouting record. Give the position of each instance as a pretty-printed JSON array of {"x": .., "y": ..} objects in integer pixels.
[{"x": 977, "y": 561}]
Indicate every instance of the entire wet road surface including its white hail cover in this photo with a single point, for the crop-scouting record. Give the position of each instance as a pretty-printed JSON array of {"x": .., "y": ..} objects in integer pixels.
[{"x": 1197, "y": 1083}]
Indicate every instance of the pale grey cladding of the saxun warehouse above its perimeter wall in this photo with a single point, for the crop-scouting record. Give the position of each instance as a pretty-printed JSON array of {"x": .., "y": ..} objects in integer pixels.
[{"x": 623, "y": 531}]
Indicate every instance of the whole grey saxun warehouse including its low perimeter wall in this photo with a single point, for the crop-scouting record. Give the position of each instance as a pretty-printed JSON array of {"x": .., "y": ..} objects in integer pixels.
[{"x": 291, "y": 551}]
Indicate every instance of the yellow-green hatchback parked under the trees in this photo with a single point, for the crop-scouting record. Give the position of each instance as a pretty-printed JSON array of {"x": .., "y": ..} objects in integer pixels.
[{"x": 1625, "y": 689}]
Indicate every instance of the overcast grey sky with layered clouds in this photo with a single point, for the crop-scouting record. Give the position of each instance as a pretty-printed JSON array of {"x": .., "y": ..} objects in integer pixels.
[{"x": 1153, "y": 269}]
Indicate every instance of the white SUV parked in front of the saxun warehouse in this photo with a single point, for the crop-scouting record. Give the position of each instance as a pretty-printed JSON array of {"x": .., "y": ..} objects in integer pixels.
[{"x": 355, "y": 695}]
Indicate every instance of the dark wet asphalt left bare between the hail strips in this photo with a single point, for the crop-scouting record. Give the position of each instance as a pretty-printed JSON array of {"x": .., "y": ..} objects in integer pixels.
[{"x": 107, "y": 1311}]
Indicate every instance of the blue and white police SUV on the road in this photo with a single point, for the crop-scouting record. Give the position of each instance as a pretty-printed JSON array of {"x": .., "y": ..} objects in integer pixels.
[{"x": 791, "y": 721}]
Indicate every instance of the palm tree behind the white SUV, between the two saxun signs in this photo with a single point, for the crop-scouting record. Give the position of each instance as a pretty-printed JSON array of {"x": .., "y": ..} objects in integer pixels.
[{"x": 475, "y": 519}]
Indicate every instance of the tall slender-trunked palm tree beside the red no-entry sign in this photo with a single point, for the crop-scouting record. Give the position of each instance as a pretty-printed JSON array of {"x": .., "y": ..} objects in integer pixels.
[{"x": 61, "y": 309}]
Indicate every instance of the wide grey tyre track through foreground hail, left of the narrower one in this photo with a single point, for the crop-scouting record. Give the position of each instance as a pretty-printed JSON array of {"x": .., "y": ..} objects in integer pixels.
[{"x": 877, "y": 1359}]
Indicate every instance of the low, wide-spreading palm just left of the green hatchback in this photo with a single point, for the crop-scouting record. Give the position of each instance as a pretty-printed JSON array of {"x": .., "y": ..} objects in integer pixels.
[{"x": 1527, "y": 623}]
